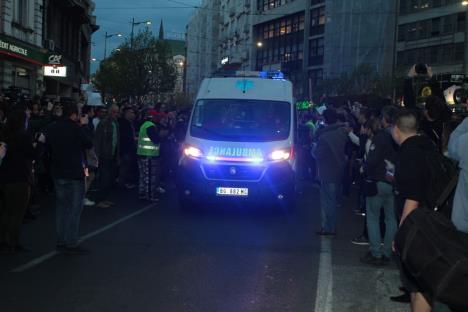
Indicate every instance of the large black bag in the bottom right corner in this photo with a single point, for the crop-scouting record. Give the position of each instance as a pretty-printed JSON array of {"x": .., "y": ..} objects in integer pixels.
[{"x": 435, "y": 254}]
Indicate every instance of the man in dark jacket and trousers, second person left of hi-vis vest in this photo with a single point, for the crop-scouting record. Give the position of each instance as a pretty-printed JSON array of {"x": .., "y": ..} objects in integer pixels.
[{"x": 107, "y": 146}]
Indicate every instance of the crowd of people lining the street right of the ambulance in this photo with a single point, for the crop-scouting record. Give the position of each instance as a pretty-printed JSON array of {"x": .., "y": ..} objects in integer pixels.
[{"x": 383, "y": 152}]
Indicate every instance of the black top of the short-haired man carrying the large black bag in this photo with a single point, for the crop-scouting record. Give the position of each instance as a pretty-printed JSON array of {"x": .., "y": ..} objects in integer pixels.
[{"x": 411, "y": 172}]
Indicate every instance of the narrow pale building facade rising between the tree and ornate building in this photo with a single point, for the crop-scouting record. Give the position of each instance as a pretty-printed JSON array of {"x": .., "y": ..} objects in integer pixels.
[{"x": 202, "y": 45}]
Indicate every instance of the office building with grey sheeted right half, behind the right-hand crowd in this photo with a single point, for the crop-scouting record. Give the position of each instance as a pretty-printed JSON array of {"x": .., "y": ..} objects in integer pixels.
[{"x": 310, "y": 40}]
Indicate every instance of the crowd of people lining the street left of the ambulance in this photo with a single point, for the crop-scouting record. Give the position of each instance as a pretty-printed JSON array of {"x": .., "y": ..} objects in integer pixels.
[{"x": 70, "y": 149}]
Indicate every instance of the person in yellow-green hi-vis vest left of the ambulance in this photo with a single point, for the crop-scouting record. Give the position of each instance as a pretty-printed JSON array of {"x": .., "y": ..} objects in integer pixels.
[{"x": 148, "y": 152}]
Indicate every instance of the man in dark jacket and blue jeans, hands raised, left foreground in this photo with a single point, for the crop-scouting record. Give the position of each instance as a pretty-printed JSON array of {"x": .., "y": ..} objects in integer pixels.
[{"x": 67, "y": 142}]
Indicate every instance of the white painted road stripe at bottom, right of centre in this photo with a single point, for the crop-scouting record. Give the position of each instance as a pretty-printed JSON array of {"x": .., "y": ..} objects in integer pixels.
[{"x": 324, "y": 296}]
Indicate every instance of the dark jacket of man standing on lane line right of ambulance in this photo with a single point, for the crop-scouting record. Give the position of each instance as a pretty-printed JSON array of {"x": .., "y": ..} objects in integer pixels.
[{"x": 330, "y": 153}]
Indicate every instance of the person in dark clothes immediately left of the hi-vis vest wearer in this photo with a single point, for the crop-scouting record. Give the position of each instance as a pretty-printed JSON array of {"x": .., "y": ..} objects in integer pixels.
[{"x": 128, "y": 161}]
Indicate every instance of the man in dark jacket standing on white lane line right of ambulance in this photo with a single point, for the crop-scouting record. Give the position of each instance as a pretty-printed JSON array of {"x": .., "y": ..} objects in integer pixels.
[{"x": 331, "y": 161}]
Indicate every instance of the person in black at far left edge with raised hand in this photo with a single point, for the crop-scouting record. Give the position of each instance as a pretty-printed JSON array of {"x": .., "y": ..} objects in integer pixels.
[{"x": 16, "y": 178}]
